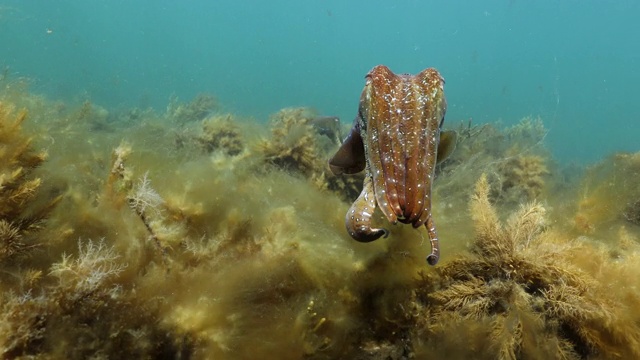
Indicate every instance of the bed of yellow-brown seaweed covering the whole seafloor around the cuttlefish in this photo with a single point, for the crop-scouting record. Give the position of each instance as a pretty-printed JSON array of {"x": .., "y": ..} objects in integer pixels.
[{"x": 192, "y": 233}]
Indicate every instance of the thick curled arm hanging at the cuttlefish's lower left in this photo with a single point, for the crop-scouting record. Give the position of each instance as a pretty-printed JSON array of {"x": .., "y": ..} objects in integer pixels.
[{"x": 358, "y": 220}]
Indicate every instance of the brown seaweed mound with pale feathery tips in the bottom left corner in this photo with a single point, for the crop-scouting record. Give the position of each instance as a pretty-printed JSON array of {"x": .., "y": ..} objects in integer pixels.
[{"x": 83, "y": 313}]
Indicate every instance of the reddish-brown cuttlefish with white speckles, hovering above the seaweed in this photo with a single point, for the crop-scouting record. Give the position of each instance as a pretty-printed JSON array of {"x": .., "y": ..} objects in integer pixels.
[{"x": 397, "y": 139}]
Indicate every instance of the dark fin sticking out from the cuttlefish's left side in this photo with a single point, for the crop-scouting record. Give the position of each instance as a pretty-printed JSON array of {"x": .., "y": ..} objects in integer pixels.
[{"x": 349, "y": 159}]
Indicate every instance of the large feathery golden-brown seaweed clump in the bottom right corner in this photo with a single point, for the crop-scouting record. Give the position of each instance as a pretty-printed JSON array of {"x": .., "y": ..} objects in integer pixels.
[{"x": 518, "y": 295}]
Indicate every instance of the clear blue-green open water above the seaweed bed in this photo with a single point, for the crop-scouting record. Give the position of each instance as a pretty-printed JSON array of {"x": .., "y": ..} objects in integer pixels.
[{"x": 574, "y": 63}]
